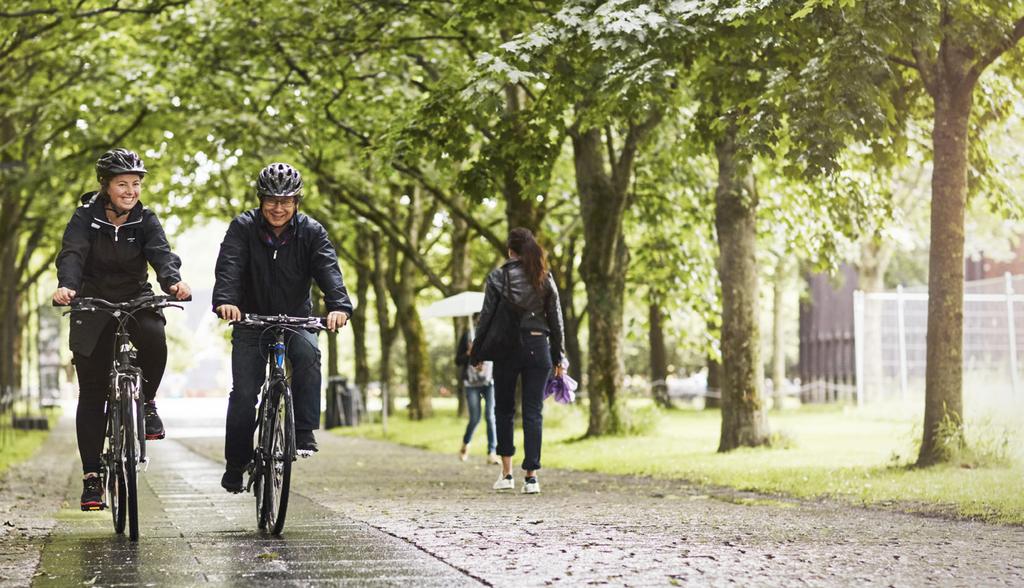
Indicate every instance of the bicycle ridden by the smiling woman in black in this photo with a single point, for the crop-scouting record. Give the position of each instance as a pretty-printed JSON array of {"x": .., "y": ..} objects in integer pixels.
[{"x": 124, "y": 451}]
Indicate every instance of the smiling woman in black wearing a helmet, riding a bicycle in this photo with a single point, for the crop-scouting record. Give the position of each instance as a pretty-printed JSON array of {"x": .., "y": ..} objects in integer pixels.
[{"x": 107, "y": 245}]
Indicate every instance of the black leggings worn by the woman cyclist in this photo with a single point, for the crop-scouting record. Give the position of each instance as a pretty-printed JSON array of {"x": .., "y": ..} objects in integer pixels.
[{"x": 147, "y": 333}]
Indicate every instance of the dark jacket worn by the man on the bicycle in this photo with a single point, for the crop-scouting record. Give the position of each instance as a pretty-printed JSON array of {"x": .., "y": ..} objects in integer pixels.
[{"x": 264, "y": 274}]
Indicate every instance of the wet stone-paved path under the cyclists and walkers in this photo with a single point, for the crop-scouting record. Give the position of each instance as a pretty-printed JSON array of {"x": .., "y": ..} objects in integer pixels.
[{"x": 371, "y": 514}]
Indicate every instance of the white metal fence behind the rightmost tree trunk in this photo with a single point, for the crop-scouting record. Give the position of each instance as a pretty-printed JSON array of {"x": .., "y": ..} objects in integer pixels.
[{"x": 890, "y": 333}]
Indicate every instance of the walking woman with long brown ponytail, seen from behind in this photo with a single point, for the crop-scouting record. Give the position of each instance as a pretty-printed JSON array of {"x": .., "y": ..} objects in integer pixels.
[{"x": 524, "y": 284}]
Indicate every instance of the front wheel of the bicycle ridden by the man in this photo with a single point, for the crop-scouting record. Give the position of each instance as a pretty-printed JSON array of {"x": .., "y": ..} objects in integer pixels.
[{"x": 278, "y": 477}]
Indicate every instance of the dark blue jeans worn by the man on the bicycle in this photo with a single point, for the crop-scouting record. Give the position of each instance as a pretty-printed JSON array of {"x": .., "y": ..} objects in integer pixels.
[{"x": 249, "y": 353}]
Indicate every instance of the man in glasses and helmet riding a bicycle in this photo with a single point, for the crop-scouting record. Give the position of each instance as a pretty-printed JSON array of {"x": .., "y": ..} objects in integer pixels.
[{"x": 268, "y": 261}]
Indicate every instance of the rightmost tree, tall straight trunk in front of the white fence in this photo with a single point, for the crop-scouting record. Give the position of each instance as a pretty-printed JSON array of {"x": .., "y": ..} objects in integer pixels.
[{"x": 953, "y": 45}]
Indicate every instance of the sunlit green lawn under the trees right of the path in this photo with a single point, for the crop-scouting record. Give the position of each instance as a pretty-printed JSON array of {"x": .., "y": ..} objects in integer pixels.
[{"x": 856, "y": 455}]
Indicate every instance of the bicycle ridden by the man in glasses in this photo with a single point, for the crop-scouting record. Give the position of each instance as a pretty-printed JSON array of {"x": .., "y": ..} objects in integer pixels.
[{"x": 271, "y": 471}]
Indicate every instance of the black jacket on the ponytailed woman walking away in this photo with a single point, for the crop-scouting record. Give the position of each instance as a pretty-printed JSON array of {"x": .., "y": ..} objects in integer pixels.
[{"x": 542, "y": 311}]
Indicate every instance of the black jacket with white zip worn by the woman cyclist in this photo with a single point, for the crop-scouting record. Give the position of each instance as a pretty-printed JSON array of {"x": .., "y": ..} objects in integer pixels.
[{"x": 101, "y": 260}]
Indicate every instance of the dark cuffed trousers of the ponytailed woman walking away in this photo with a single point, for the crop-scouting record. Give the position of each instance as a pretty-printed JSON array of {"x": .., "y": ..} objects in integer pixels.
[{"x": 533, "y": 363}]
